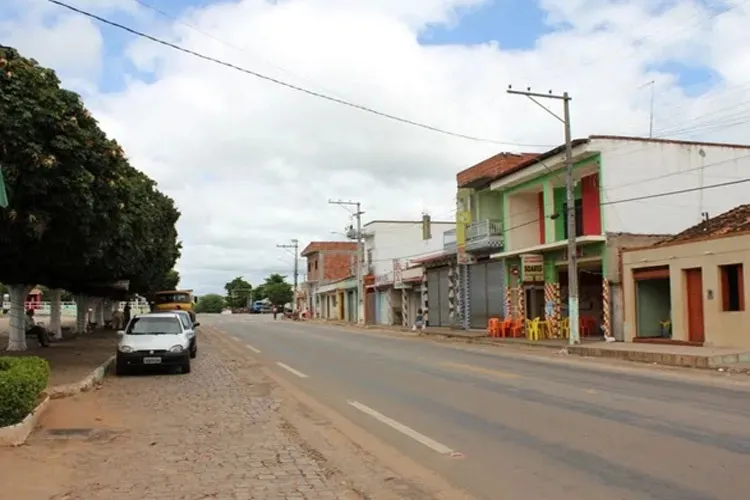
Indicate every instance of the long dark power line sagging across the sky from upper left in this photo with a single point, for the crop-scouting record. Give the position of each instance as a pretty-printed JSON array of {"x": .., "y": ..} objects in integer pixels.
[{"x": 291, "y": 86}]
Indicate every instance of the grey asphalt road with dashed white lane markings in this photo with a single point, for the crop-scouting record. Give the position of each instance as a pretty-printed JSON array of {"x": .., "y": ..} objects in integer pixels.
[{"x": 506, "y": 426}]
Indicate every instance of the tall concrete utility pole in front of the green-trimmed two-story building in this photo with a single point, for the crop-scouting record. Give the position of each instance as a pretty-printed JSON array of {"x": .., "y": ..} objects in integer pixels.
[{"x": 570, "y": 213}]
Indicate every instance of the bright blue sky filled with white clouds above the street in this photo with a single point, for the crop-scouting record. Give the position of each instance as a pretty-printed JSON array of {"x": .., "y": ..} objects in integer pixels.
[{"x": 252, "y": 164}]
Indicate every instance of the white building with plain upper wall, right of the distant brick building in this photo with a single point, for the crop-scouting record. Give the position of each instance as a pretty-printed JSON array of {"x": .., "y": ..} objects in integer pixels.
[{"x": 393, "y": 286}]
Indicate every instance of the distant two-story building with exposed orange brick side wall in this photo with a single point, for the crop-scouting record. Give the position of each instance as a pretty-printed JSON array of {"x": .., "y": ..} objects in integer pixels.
[{"x": 329, "y": 262}]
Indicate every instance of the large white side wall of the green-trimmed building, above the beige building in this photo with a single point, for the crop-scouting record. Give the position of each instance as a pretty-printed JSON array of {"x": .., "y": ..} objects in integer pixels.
[{"x": 642, "y": 168}]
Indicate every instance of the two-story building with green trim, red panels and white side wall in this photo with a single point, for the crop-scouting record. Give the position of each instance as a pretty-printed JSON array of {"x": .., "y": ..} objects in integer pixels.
[{"x": 629, "y": 191}]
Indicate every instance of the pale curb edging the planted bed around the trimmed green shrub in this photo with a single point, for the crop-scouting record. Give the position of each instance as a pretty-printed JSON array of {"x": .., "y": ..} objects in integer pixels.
[{"x": 17, "y": 434}]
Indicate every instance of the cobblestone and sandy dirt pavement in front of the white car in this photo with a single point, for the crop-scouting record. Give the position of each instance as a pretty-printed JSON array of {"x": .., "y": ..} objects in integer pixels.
[{"x": 214, "y": 433}]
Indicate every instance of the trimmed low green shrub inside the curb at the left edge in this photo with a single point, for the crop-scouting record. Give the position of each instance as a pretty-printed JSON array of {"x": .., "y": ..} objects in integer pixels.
[{"x": 22, "y": 380}]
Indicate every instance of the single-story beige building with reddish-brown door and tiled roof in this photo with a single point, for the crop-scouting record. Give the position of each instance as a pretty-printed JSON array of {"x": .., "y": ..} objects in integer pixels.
[{"x": 690, "y": 288}]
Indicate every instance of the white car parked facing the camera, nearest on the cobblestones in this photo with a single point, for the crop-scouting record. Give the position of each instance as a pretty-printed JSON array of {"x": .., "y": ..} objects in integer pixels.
[{"x": 151, "y": 340}]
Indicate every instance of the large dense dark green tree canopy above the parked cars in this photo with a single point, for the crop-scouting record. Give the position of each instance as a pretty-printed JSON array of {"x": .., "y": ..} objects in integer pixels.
[{"x": 79, "y": 215}]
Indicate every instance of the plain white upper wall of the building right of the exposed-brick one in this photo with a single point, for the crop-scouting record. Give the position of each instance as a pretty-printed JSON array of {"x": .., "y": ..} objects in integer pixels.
[{"x": 401, "y": 240}]
